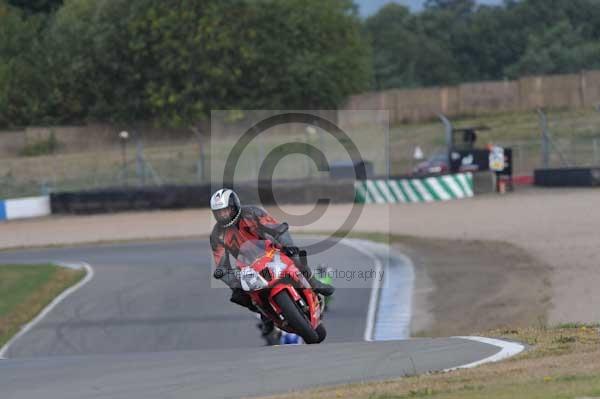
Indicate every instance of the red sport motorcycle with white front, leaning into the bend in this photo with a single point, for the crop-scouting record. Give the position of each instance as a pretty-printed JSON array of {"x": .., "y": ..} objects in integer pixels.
[{"x": 280, "y": 291}]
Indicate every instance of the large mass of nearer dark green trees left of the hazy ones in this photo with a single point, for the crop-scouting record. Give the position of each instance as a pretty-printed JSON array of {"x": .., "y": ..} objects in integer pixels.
[{"x": 148, "y": 59}]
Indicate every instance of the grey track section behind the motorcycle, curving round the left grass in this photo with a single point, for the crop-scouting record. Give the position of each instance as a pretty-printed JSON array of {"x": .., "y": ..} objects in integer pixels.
[{"x": 157, "y": 296}]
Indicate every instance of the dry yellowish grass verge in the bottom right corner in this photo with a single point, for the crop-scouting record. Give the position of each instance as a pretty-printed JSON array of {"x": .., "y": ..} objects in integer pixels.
[{"x": 563, "y": 362}]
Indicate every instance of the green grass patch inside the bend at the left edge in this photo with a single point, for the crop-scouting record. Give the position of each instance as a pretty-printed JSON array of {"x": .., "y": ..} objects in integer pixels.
[{"x": 26, "y": 289}]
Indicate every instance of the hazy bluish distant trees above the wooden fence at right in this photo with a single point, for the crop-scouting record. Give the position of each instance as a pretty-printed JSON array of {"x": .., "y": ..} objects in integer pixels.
[{"x": 454, "y": 41}]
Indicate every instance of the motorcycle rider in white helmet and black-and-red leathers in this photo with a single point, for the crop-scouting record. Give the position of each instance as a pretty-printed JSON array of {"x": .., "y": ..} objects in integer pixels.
[{"x": 237, "y": 224}]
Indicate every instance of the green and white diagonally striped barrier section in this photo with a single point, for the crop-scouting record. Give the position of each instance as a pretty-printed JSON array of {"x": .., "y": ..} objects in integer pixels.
[{"x": 429, "y": 189}]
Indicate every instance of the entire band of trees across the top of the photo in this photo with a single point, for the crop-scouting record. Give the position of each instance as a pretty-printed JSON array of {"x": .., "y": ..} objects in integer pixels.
[{"x": 75, "y": 61}]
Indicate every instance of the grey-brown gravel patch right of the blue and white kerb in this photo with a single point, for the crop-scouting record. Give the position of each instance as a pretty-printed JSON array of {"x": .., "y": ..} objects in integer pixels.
[{"x": 465, "y": 287}]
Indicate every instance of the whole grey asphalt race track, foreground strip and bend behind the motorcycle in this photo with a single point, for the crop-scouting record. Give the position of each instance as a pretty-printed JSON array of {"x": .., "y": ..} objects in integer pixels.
[{"x": 149, "y": 325}]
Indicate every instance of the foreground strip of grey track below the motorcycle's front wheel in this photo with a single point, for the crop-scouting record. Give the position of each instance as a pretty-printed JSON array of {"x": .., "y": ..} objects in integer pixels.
[{"x": 229, "y": 373}]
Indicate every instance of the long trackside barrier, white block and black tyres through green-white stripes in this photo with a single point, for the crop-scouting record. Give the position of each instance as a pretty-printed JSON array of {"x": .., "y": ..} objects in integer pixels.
[{"x": 427, "y": 189}]
